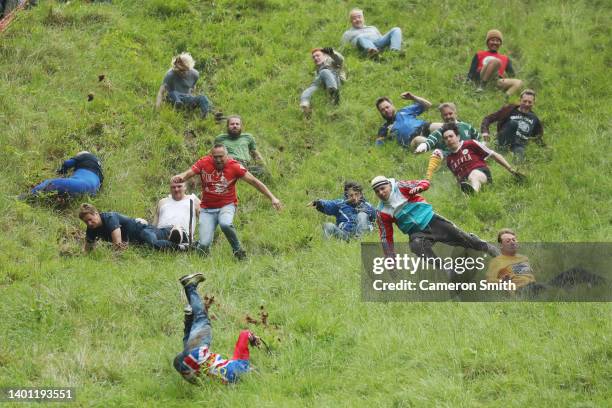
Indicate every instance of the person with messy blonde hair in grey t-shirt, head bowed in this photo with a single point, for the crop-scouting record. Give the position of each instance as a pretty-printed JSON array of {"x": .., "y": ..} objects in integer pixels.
[{"x": 179, "y": 86}]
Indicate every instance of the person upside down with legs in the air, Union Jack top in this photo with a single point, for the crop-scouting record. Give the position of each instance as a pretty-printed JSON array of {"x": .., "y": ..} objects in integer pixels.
[{"x": 196, "y": 359}]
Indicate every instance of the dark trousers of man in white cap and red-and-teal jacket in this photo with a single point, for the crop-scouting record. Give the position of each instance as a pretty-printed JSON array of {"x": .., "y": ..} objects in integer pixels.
[{"x": 442, "y": 230}]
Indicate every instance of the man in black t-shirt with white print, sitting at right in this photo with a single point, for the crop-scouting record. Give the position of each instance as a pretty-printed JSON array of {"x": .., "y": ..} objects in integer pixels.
[{"x": 516, "y": 125}]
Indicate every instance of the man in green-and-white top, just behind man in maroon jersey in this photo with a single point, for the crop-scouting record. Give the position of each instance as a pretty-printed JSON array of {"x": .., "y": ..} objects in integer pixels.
[{"x": 448, "y": 111}]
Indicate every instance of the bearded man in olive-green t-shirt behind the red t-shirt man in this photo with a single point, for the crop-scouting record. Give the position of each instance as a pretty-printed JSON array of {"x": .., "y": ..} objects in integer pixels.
[{"x": 241, "y": 146}]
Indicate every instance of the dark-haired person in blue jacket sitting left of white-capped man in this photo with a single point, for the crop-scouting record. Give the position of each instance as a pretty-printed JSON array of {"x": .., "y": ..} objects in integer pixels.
[{"x": 354, "y": 215}]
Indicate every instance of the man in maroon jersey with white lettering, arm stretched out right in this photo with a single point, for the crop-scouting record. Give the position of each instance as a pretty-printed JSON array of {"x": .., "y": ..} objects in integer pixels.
[{"x": 467, "y": 160}]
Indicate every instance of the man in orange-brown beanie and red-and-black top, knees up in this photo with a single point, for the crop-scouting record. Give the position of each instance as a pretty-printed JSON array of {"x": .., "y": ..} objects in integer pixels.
[{"x": 490, "y": 65}]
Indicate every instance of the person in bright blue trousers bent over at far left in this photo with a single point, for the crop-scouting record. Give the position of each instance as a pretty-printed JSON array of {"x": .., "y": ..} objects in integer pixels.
[{"x": 86, "y": 178}]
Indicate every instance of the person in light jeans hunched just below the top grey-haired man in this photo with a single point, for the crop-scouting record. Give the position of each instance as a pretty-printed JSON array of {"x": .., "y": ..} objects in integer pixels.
[{"x": 329, "y": 75}]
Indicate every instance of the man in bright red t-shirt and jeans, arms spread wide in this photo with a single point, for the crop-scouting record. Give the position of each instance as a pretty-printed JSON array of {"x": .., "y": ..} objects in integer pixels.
[{"x": 219, "y": 174}]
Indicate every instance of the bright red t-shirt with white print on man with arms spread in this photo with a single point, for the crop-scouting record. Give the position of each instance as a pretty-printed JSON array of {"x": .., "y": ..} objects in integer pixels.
[{"x": 218, "y": 187}]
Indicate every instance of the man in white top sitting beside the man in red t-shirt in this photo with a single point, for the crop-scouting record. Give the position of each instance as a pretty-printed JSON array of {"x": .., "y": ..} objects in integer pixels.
[{"x": 178, "y": 210}]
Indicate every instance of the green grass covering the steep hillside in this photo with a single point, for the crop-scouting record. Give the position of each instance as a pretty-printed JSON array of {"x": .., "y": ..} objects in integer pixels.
[{"x": 110, "y": 324}]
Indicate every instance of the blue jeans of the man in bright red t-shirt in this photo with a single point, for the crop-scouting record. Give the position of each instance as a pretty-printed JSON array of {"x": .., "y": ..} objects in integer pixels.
[{"x": 224, "y": 217}]
